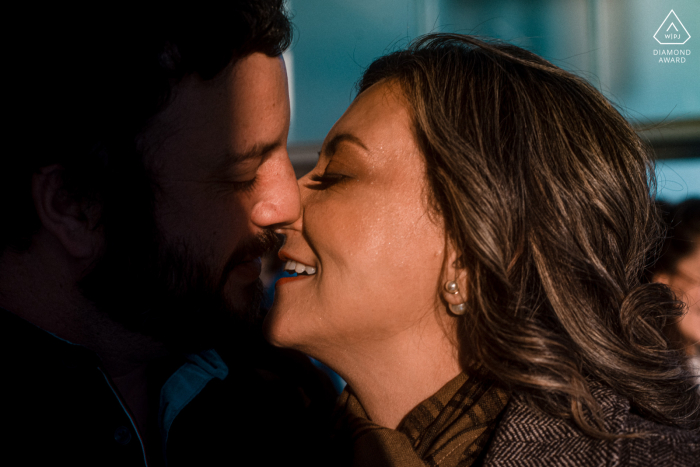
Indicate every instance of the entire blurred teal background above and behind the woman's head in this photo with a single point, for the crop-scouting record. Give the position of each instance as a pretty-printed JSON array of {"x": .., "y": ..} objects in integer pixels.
[{"x": 609, "y": 42}]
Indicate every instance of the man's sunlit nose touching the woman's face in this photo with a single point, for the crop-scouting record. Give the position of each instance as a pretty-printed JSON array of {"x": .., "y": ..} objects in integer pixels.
[{"x": 278, "y": 202}]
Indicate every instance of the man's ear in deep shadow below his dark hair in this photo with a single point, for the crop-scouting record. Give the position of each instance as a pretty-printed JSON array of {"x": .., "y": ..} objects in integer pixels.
[{"x": 71, "y": 221}]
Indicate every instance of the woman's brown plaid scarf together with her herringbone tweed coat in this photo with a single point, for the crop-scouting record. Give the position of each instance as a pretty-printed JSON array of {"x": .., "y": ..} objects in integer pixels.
[{"x": 447, "y": 429}]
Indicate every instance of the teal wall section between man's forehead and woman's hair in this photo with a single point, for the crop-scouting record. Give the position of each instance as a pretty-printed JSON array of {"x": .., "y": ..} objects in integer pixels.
[{"x": 334, "y": 41}]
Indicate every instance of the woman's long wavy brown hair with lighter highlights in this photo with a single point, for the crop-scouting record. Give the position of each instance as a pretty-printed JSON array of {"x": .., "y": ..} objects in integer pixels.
[{"x": 545, "y": 193}]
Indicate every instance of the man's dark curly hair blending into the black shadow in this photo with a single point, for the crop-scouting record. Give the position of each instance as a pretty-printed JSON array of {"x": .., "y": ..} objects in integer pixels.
[{"x": 82, "y": 88}]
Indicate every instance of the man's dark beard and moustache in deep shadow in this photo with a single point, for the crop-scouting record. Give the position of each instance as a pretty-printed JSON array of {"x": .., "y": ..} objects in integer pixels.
[{"x": 166, "y": 290}]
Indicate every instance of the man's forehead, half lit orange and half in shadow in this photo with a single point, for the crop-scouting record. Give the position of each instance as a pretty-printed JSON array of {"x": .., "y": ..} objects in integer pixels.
[{"x": 242, "y": 113}]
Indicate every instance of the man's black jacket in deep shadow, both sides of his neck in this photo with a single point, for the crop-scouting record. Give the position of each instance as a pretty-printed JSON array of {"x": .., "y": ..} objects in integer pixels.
[{"x": 60, "y": 408}]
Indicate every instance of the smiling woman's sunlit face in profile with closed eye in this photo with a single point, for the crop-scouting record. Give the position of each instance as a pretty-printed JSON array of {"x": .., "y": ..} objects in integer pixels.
[{"x": 366, "y": 229}]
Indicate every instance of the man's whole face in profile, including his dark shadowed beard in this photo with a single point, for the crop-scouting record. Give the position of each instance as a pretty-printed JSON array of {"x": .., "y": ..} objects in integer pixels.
[{"x": 222, "y": 180}]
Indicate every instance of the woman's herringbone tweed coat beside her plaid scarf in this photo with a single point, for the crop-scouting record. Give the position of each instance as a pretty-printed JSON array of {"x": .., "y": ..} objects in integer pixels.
[{"x": 526, "y": 437}]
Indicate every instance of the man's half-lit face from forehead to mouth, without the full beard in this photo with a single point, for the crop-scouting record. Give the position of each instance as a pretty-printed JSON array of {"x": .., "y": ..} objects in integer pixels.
[{"x": 219, "y": 155}]
